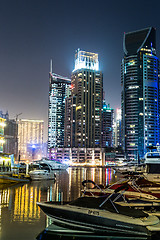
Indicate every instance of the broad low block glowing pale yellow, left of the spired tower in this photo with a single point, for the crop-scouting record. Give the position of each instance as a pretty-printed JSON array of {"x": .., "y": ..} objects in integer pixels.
[{"x": 30, "y": 139}]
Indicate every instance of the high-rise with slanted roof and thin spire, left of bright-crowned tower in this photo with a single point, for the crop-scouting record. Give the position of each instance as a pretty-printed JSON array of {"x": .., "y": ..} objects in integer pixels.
[{"x": 59, "y": 89}]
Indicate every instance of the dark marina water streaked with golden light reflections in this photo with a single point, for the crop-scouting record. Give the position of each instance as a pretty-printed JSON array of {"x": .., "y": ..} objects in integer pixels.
[{"x": 22, "y": 219}]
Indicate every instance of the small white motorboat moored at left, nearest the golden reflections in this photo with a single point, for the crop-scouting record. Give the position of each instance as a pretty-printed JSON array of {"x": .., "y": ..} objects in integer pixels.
[{"x": 43, "y": 172}]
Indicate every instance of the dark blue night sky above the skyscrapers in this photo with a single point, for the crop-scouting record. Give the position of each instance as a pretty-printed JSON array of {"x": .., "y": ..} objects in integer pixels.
[{"x": 34, "y": 31}]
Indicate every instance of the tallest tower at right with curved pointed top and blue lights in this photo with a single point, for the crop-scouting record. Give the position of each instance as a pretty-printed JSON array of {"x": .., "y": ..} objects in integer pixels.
[{"x": 140, "y": 92}]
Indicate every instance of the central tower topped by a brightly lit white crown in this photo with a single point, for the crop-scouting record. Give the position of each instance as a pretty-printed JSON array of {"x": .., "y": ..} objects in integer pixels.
[{"x": 87, "y": 92}]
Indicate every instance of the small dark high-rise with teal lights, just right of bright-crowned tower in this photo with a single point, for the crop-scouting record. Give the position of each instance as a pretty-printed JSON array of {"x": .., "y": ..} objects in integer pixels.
[{"x": 107, "y": 125}]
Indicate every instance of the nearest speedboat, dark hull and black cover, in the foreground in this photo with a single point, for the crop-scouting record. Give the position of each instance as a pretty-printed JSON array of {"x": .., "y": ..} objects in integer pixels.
[{"x": 101, "y": 215}]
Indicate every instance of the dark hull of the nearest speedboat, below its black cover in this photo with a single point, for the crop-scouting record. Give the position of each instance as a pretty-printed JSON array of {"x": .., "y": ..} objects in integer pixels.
[{"x": 96, "y": 220}]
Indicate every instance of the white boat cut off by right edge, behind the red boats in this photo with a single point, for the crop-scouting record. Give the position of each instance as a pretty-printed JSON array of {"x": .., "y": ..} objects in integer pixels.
[{"x": 152, "y": 166}]
